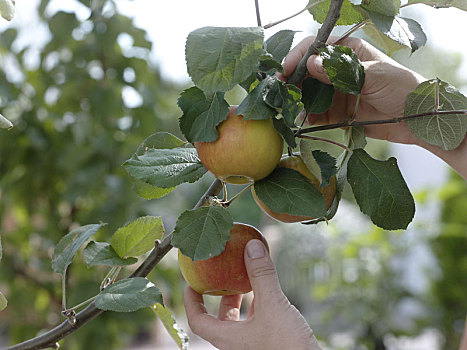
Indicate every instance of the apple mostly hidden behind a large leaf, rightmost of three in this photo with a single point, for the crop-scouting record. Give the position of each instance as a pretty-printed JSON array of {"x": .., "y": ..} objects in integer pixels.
[{"x": 296, "y": 163}]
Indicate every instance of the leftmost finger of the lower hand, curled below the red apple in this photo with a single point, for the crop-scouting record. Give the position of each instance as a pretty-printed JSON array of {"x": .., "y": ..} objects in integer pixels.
[{"x": 200, "y": 322}]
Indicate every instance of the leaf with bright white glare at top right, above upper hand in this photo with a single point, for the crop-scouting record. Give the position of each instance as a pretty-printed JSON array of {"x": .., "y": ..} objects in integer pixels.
[{"x": 404, "y": 31}]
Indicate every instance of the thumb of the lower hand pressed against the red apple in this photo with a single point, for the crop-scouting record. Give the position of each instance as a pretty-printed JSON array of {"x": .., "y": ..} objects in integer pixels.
[{"x": 261, "y": 272}]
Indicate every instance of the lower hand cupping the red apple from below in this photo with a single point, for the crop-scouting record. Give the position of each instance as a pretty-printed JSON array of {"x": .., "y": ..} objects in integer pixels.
[{"x": 272, "y": 322}]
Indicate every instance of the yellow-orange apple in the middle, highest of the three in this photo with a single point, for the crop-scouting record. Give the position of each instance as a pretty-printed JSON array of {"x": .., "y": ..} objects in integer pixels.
[{"x": 245, "y": 151}]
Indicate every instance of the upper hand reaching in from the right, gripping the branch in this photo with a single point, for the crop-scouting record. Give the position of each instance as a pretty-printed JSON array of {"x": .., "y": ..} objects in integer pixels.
[{"x": 384, "y": 94}]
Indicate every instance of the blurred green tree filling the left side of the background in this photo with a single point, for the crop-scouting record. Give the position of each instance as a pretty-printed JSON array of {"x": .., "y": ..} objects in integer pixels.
[{"x": 80, "y": 109}]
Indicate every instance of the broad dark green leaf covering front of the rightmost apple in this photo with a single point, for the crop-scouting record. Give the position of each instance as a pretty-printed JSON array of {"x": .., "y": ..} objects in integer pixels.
[{"x": 287, "y": 191}]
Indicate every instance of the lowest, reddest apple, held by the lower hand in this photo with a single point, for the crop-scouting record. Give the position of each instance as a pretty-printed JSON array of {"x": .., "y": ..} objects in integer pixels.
[{"x": 224, "y": 274}]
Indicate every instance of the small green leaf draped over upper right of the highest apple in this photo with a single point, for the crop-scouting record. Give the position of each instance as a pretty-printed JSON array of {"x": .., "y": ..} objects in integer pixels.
[{"x": 253, "y": 106}]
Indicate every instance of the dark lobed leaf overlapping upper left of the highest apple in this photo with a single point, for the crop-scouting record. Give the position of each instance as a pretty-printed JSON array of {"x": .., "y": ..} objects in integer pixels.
[{"x": 201, "y": 114}]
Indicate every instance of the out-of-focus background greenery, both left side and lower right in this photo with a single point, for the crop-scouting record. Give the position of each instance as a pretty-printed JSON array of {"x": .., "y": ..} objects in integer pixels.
[{"x": 82, "y": 105}]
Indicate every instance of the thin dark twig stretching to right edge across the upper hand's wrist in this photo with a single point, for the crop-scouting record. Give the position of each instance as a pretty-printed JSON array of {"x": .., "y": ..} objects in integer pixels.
[{"x": 377, "y": 122}]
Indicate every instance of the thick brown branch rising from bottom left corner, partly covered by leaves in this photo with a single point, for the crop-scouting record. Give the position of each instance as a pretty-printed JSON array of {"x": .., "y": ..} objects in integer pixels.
[{"x": 50, "y": 338}]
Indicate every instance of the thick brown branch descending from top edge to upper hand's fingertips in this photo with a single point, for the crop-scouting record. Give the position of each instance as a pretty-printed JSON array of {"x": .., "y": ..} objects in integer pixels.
[{"x": 323, "y": 34}]
